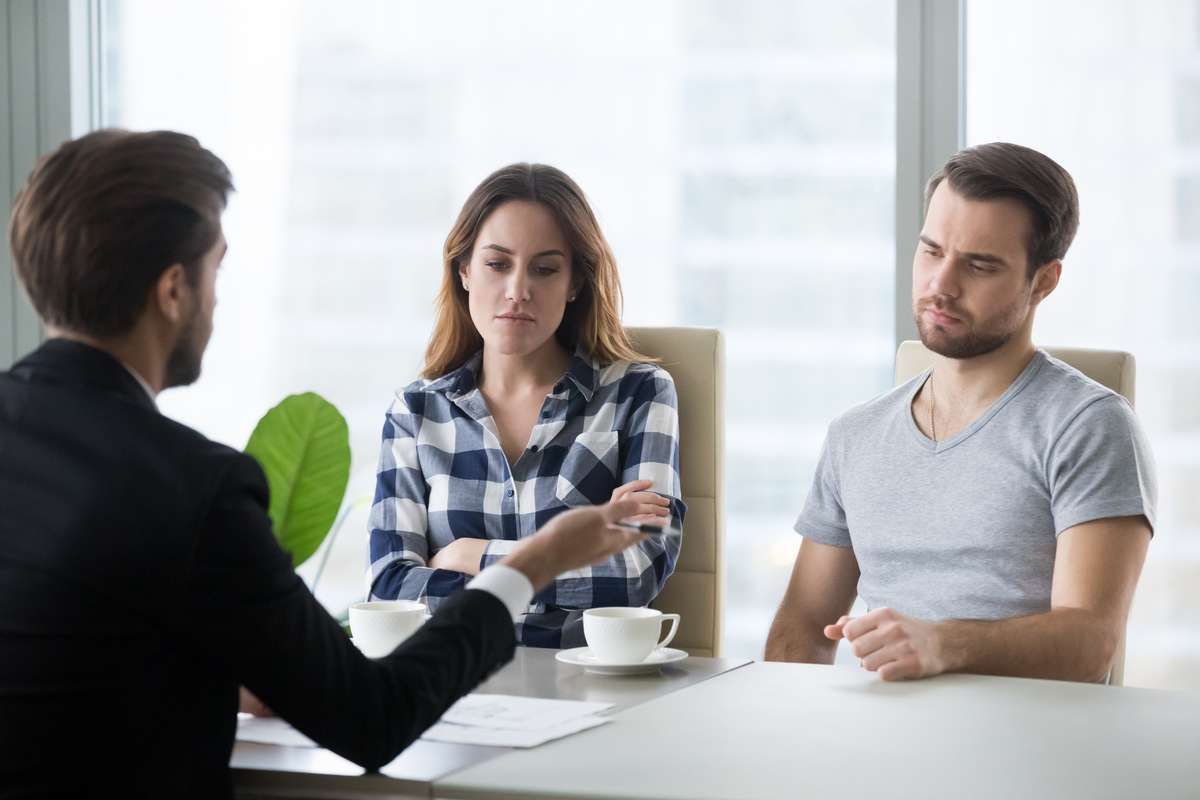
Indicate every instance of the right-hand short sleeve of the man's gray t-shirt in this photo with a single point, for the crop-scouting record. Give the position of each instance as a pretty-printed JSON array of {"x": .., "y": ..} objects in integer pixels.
[{"x": 1102, "y": 467}]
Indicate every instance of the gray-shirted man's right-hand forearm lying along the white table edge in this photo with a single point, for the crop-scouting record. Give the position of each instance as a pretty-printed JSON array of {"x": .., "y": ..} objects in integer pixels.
[{"x": 1061, "y": 645}]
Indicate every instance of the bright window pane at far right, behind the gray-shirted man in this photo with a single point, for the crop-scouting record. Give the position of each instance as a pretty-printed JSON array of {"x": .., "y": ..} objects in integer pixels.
[{"x": 1114, "y": 97}]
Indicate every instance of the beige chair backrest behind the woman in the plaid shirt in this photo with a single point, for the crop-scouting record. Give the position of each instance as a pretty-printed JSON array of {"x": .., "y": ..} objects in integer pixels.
[{"x": 695, "y": 358}]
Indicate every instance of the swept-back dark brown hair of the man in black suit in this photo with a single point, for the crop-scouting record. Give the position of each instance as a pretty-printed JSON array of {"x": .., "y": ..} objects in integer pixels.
[{"x": 101, "y": 218}]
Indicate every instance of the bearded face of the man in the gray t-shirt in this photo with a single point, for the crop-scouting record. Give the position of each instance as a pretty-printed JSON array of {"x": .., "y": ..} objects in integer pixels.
[{"x": 970, "y": 287}]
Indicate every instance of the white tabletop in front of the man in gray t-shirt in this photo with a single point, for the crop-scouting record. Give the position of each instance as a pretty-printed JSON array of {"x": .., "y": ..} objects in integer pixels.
[{"x": 800, "y": 731}]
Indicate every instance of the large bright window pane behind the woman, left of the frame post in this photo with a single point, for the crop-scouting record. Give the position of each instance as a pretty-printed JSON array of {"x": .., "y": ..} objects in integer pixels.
[{"x": 740, "y": 157}]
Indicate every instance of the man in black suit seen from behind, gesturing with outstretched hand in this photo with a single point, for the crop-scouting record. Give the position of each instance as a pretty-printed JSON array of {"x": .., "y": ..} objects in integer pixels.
[{"x": 140, "y": 580}]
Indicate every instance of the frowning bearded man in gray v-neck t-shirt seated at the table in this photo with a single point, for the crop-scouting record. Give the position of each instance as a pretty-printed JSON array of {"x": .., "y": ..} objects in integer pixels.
[{"x": 994, "y": 513}]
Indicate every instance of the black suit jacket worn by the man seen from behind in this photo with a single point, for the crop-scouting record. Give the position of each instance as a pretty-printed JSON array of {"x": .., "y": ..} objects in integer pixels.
[{"x": 141, "y": 585}]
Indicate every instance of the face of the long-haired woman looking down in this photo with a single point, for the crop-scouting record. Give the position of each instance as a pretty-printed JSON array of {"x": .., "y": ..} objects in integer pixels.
[{"x": 519, "y": 279}]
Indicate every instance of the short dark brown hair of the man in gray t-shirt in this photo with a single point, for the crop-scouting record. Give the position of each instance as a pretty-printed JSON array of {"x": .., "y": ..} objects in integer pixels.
[{"x": 1009, "y": 171}]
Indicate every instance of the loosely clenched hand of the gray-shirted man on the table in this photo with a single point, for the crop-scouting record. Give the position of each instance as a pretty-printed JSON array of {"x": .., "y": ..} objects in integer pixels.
[{"x": 897, "y": 647}]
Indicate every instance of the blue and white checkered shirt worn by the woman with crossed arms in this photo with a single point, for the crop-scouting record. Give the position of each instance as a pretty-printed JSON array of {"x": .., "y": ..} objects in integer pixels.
[{"x": 443, "y": 476}]
